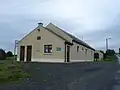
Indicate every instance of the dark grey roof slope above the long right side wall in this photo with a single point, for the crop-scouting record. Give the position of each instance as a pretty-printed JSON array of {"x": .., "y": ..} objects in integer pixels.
[{"x": 78, "y": 40}]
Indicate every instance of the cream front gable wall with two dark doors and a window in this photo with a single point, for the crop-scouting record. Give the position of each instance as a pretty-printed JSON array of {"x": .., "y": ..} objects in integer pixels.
[{"x": 47, "y": 38}]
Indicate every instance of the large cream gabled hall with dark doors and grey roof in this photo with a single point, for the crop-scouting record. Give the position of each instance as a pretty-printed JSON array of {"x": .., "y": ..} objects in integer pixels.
[{"x": 52, "y": 44}]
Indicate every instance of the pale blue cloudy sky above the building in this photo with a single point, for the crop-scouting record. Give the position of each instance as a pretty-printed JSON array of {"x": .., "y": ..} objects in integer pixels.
[{"x": 90, "y": 20}]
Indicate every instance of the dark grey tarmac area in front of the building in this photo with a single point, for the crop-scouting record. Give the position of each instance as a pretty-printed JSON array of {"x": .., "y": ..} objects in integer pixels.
[{"x": 77, "y": 76}]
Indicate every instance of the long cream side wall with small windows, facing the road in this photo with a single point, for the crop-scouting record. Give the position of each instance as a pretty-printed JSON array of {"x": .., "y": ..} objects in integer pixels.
[{"x": 82, "y": 54}]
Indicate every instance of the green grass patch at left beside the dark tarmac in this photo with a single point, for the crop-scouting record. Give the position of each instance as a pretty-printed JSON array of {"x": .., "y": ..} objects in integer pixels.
[{"x": 11, "y": 71}]
